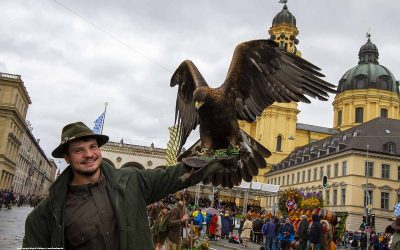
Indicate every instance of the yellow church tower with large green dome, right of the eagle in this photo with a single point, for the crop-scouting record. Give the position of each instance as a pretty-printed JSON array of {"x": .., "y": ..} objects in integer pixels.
[{"x": 366, "y": 91}]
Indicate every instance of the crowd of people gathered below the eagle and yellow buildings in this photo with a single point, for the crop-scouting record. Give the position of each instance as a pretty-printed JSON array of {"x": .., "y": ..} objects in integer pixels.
[{"x": 270, "y": 231}]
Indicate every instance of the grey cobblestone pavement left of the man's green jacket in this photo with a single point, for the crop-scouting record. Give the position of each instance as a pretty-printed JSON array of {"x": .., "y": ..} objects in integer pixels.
[{"x": 12, "y": 222}]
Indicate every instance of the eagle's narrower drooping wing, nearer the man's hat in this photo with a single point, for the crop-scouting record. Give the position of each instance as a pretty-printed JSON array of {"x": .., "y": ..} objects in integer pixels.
[{"x": 188, "y": 78}]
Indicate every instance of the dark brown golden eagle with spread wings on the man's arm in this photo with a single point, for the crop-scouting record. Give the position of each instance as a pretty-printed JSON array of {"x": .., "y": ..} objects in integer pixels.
[{"x": 259, "y": 75}]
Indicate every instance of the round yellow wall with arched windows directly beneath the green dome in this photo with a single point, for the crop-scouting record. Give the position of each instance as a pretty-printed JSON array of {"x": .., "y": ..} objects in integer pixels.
[{"x": 372, "y": 100}]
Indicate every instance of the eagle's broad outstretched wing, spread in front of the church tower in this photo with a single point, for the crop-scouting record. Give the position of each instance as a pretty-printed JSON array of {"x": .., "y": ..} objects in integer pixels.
[{"x": 261, "y": 74}]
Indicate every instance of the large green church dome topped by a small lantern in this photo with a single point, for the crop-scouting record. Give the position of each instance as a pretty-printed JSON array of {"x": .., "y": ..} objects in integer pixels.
[{"x": 368, "y": 74}]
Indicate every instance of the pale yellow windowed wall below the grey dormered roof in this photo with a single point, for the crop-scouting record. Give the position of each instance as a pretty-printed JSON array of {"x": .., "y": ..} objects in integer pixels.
[{"x": 354, "y": 202}]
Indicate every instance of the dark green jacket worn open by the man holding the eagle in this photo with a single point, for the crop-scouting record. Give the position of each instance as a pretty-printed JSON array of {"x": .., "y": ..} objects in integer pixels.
[{"x": 130, "y": 191}]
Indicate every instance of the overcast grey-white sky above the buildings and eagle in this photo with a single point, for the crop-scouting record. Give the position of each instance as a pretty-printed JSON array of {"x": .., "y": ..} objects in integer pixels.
[{"x": 74, "y": 56}]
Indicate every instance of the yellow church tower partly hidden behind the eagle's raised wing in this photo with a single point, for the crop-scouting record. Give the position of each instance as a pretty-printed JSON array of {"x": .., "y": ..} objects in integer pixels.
[{"x": 275, "y": 129}]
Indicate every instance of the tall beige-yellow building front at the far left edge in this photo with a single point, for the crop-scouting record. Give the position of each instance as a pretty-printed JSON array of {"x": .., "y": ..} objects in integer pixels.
[{"x": 14, "y": 101}]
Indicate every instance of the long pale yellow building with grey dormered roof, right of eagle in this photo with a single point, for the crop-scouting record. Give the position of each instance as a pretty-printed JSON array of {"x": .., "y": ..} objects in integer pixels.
[{"x": 343, "y": 159}]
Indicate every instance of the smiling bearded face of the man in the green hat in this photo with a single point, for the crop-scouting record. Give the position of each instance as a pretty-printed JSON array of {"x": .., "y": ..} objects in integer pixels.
[{"x": 84, "y": 156}]
